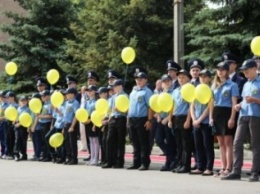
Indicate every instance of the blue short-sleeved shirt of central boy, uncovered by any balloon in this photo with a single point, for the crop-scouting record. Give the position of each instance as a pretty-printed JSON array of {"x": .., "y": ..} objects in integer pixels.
[{"x": 139, "y": 102}]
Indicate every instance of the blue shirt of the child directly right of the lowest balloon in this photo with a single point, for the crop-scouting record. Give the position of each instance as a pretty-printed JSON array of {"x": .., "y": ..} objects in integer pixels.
[{"x": 71, "y": 106}]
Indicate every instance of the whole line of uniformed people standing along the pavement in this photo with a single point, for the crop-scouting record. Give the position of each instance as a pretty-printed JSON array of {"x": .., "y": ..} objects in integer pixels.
[{"x": 188, "y": 129}]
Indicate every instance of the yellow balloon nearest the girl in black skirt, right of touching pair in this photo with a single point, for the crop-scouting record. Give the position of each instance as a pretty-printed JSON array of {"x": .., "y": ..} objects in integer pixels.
[{"x": 203, "y": 93}]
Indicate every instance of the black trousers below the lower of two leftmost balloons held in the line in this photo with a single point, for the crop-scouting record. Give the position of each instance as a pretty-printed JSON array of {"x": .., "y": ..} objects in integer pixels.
[{"x": 20, "y": 145}]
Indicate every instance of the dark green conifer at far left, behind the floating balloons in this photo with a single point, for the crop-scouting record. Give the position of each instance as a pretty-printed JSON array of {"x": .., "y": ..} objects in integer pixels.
[{"x": 37, "y": 37}]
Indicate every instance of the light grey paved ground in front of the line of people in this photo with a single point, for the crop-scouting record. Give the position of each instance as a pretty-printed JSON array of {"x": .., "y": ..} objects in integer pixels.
[{"x": 38, "y": 177}]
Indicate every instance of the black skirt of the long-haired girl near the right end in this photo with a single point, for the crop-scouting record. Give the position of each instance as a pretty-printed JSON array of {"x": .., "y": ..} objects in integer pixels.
[{"x": 221, "y": 115}]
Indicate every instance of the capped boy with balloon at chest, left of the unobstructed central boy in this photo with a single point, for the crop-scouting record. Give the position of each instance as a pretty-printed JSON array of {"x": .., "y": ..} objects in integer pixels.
[{"x": 116, "y": 131}]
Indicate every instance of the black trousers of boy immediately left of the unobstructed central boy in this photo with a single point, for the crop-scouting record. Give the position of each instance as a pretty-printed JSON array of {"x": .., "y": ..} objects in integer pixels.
[{"x": 116, "y": 141}]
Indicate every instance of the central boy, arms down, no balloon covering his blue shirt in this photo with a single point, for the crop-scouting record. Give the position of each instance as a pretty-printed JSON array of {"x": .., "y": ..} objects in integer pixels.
[{"x": 140, "y": 116}]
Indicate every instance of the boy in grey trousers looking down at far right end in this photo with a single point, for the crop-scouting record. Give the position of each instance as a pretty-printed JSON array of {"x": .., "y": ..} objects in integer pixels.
[{"x": 249, "y": 119}]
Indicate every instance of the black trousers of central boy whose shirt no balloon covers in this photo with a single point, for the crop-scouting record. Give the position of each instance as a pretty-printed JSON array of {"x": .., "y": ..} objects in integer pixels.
[{"x": 141, "y": 141}]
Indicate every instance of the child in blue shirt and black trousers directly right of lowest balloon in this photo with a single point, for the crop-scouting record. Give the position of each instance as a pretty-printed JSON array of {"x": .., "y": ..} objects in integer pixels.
[{"x": 69, "y": 131}]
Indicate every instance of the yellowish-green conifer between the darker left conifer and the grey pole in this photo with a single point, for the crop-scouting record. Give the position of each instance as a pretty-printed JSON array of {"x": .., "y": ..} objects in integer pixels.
[{"x": 104, "y": 28}]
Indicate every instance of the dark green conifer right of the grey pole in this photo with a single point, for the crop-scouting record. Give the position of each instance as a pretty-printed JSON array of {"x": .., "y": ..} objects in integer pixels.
[{"x": 228, "y": 27}]
